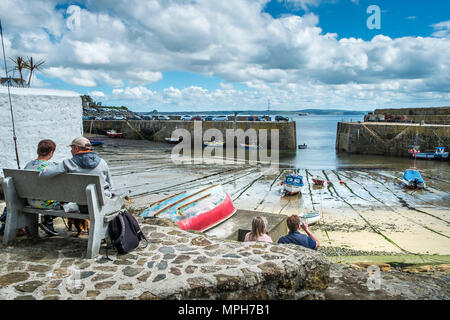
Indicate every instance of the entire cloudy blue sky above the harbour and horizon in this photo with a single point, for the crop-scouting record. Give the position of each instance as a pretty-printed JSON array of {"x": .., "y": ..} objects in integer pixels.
[{"x": 188, "y": 55}]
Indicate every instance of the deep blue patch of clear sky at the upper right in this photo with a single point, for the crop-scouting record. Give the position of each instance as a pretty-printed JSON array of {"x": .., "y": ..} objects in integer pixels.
[{"x": 400, "y": 18}]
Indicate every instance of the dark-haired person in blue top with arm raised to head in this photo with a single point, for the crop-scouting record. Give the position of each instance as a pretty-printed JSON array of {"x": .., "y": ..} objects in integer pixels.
[{"x": 295, "y": 237}]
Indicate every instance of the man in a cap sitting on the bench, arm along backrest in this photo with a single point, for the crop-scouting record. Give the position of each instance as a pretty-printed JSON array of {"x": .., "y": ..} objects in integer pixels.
[{"x": 84, "y": 160}]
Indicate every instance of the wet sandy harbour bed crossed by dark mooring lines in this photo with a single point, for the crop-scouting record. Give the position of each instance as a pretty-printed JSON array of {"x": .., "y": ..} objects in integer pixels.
[{"x": 369, "y": 211}]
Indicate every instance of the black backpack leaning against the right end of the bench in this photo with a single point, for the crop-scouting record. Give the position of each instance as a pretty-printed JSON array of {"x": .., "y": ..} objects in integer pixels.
[{"x": 125, "y": 232}]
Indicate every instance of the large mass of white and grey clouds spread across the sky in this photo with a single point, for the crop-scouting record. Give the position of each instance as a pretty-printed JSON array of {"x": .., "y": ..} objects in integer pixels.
[{"x": 129, "y": 44}]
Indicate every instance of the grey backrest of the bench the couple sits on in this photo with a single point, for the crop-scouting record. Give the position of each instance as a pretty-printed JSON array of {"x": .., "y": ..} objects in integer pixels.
[{"x": 67, "y": 187}]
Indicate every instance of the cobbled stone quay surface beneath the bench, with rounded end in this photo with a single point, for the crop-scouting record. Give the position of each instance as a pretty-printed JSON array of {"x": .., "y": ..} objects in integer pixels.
[{"x": 175, "y": 265}]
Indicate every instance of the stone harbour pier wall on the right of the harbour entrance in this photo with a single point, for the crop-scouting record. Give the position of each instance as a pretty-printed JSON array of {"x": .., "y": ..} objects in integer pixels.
[{"x": 390, "y": 139}]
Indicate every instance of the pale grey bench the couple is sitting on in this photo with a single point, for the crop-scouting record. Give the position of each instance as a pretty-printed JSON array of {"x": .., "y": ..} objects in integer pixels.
[{"x": 83, "y": 189}]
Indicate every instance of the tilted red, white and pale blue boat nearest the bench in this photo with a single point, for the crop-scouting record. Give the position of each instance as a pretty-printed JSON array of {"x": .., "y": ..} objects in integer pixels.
[{"x": 194, "y": 210}]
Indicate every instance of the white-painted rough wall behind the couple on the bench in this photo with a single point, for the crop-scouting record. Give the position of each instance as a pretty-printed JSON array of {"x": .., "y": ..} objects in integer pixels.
[{"x": 38, "y": 114}]
